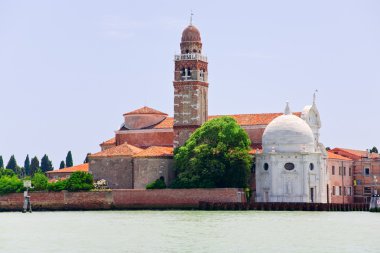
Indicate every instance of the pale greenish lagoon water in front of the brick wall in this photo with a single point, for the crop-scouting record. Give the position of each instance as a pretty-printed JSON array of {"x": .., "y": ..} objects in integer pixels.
[{"x": 189, "y": 231}]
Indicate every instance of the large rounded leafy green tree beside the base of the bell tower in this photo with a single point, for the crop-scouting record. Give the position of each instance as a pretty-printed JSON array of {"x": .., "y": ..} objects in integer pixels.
[{"x": 215, "y": 155}]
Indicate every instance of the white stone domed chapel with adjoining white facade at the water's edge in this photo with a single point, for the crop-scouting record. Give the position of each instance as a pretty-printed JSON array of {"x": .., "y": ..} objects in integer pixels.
[{"x": 292, "y": 166}]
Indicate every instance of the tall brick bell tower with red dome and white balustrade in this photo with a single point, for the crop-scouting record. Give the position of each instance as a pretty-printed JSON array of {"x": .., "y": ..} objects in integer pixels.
[{"x": 190, "y": 86}]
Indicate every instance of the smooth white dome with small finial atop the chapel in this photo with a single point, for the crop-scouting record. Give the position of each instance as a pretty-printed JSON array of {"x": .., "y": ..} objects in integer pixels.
[{"x": 288, "y": 134}]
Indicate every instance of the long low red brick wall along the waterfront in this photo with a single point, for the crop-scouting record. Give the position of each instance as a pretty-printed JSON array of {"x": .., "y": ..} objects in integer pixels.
[{"x": 121, "y": 199}]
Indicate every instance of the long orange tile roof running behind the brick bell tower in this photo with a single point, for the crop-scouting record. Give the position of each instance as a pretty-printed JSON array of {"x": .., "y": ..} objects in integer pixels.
[{"x": 241, "y": 119}]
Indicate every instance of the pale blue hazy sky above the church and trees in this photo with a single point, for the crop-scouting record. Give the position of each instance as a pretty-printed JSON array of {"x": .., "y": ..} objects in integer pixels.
[{"x": 70, "y": 69}]
